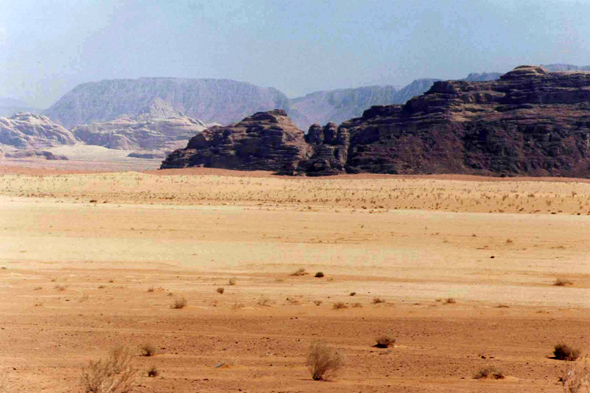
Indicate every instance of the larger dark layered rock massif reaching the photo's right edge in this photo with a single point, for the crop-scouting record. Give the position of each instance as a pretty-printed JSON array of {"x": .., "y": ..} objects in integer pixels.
[{"x": 530, "y": 122}]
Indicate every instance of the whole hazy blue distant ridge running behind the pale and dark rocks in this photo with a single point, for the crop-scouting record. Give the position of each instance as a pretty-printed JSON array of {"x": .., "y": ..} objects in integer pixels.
[{"x": 226, "y": 101}]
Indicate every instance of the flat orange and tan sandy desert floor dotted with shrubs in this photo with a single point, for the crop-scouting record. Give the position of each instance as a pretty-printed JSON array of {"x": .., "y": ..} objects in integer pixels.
[{"x": 459, "y": 270}]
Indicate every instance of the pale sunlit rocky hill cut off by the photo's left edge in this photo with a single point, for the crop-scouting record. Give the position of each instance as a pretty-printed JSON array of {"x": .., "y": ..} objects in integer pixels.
[{"x": 32, "y": 131}]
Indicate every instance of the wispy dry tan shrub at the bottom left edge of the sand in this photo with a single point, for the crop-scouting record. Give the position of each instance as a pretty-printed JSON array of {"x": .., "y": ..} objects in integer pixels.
[{"x": 111, "y": 375}]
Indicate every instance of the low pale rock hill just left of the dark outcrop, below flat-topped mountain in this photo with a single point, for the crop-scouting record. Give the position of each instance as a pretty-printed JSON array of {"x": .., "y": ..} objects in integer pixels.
[{"x": 145, "y": 132}]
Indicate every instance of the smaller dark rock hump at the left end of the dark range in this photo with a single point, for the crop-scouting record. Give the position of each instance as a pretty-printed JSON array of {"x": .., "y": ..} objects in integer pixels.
[{"x": 263, "y": 141}]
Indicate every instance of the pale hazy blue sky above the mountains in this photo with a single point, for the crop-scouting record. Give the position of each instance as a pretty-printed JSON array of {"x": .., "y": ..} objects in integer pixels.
[{"x": 298, "y": 46}]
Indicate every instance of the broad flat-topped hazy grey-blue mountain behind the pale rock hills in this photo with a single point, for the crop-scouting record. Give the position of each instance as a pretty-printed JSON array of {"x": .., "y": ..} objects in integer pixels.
[{"x": 211, "y": 100}]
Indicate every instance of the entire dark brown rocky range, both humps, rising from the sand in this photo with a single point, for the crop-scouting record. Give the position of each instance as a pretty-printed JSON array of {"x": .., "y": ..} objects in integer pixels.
[{"x": 529, "y": 122}]
